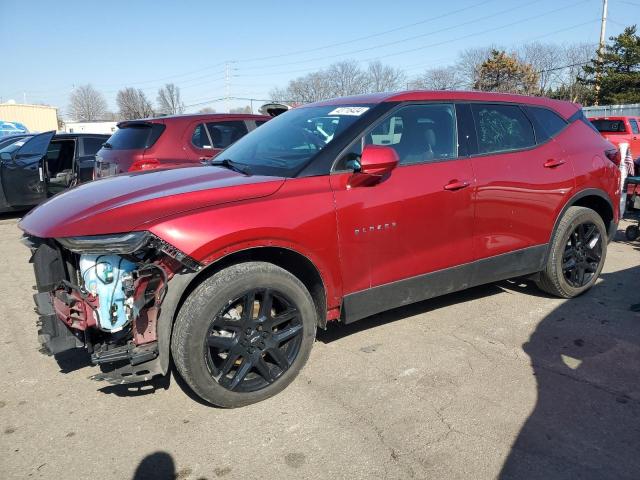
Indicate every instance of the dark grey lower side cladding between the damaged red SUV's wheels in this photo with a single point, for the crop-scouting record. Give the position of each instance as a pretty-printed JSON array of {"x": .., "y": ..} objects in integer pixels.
[{"x": 526, "y": 261}]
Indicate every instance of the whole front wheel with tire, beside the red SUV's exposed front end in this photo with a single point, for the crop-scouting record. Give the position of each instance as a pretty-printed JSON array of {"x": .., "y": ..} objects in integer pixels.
[{"x": 244, "y": 334}]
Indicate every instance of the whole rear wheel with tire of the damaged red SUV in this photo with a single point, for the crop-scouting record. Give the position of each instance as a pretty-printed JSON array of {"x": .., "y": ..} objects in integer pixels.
[{"x": 576, "y": 255}]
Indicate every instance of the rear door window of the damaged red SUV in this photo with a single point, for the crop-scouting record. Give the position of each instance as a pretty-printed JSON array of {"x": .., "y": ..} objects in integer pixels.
[{"x": 502, "y": 128}]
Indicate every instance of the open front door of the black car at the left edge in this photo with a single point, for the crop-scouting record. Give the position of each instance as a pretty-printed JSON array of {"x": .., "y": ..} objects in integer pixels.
[{"x": 23, "y": 176}]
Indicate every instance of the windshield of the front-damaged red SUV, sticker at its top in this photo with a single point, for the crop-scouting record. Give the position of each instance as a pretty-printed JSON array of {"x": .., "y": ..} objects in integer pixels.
[{"x": 284, "y": 145}]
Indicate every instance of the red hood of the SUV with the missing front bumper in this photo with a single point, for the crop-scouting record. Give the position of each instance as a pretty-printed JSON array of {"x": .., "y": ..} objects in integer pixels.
[{"x": 131, "y": 201}]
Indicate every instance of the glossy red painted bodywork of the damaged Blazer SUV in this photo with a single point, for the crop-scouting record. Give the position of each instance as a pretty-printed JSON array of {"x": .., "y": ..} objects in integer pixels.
[{"x": 359, "y": 230}]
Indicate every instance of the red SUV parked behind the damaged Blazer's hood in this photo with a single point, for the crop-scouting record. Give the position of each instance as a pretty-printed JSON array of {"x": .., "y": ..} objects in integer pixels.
[{"x": 172, "y": 141}]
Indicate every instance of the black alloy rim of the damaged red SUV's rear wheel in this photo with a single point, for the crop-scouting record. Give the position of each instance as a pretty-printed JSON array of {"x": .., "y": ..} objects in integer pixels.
[{"x": 582, "y": 255}]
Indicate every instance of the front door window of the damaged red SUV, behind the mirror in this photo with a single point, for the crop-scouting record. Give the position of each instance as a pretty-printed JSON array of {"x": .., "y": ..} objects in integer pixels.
[{"x": 419, "y": 133}]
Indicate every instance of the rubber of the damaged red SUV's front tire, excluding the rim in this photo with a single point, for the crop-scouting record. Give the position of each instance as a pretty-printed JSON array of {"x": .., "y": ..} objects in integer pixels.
[{"x": 211, "y": 297}]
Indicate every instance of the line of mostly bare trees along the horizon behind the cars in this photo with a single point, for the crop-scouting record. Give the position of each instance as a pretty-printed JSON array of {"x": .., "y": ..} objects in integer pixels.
[{"x": 567, "y": 72}]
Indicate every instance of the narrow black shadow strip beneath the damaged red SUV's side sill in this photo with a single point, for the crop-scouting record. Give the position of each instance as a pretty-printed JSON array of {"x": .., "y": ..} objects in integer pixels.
[{"x": 337, "y": 330}]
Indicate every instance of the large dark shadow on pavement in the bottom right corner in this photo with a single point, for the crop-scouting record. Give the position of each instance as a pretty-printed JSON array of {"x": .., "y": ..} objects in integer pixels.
[{"x": 585, "y": 356}]
